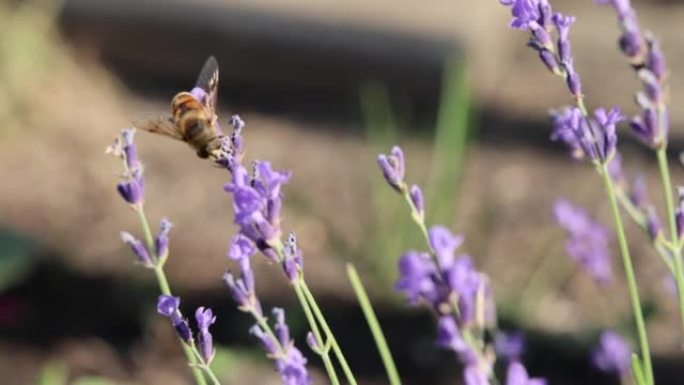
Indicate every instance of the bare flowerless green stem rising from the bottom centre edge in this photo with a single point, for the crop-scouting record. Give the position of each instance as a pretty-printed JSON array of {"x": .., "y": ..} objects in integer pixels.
[{"x": 374, "y": 325}]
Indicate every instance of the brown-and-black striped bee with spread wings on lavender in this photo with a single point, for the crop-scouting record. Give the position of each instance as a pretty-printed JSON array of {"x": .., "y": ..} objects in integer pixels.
[{"x": 193, "y": 115}]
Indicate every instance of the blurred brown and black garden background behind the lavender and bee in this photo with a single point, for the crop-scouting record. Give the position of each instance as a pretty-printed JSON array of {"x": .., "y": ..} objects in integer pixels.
[{"x": 323, "y": 87}]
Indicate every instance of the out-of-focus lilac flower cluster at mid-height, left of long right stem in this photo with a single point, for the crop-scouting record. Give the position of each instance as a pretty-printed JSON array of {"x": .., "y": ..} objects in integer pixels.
[{"x": 587, "y": 241}]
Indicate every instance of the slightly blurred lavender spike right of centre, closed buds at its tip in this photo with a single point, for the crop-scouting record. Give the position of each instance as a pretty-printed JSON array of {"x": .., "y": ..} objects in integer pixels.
[{"x": 459, "y": 296}]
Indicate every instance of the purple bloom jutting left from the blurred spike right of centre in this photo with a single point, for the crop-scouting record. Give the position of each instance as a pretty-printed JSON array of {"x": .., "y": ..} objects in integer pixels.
[{"x": 418, "y": 276}]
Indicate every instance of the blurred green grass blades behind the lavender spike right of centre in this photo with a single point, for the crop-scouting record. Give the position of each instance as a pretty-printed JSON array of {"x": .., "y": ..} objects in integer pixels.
[{"x": 390, "y": 229}]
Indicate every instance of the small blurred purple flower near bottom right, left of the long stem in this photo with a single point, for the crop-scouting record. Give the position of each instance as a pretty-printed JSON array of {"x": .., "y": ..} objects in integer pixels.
[{"x": 613, "y": 354}]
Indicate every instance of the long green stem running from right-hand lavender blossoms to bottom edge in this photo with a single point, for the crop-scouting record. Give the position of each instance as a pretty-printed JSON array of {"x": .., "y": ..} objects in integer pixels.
[{"x": 629, "y": 273}]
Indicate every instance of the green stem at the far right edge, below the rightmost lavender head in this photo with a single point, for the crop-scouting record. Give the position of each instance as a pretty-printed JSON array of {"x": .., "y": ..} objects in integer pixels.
[{"x": 676, "y": 247}]
